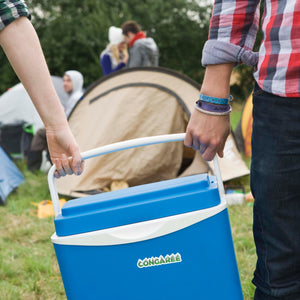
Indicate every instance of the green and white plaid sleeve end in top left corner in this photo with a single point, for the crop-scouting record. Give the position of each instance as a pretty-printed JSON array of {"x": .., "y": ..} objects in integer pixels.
[{"x": 11, "y": 10}]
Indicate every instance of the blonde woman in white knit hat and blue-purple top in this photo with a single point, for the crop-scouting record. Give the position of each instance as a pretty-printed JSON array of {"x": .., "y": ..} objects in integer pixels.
[{"x": 115, "y": 56}]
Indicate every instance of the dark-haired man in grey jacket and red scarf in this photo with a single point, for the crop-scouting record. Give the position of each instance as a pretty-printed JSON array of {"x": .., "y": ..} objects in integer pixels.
[{"x": 143, "y": 51}]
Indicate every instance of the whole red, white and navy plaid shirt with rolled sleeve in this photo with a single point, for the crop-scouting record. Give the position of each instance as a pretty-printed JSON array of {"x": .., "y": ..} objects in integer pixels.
[{"x": 233, "y": 29}]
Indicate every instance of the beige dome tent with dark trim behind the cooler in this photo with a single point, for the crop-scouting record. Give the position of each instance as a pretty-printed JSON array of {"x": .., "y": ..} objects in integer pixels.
[{"x": 135, "y": 103}]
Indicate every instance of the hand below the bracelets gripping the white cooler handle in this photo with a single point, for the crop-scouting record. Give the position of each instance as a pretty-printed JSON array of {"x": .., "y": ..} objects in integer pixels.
[{"x": 207, "y": 134}]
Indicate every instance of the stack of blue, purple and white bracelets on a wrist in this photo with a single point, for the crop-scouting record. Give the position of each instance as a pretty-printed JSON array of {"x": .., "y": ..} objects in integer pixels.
[{"x": 214, "y": 106}]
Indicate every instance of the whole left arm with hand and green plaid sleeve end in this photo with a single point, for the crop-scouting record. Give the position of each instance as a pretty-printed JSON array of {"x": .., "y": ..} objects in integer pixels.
[{"x": 21, "y": 45}]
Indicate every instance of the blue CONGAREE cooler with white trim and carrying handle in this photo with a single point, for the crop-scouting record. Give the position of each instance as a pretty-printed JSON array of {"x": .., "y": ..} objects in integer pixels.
[{"x": 163, "y": 240}]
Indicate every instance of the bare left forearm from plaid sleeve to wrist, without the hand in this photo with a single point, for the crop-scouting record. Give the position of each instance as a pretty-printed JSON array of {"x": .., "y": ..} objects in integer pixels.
[{"x": 22, "y": 48}]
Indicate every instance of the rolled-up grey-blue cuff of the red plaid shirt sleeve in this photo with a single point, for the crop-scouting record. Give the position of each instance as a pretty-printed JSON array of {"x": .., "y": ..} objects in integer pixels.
[{"x": 219, "y": 52}]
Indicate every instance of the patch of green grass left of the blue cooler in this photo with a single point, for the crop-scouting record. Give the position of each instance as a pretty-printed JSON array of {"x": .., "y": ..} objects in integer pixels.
[{"x": 28, "y": 267}]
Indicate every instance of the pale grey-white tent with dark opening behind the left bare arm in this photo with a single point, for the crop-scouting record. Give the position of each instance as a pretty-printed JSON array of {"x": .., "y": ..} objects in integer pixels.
[{"x": 18, "y": 112}]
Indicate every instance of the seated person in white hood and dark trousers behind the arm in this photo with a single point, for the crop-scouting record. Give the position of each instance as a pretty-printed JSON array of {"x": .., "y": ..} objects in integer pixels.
[{"x": 73, "y": 86}]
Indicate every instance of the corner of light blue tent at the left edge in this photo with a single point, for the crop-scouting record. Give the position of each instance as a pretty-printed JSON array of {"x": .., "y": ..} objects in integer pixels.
[{"x": 10, "y": 176}]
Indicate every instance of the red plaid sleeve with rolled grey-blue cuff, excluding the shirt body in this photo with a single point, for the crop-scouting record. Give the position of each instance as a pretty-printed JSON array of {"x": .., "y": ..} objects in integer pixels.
[{"x": 232, "y": 33}]
